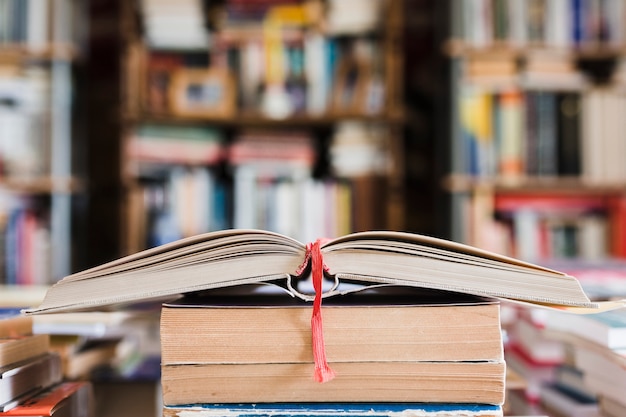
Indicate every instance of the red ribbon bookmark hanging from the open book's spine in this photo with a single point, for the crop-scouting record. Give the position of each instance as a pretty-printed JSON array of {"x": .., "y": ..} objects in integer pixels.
[{"x": 323, "y": 372}]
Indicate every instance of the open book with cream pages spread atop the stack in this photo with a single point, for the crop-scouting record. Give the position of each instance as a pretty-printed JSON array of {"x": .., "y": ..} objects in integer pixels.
[{"x": 352, "y": 262}]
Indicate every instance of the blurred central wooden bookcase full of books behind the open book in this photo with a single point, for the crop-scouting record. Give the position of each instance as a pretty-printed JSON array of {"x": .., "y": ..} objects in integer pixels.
[{"x": 268, "y": 115}]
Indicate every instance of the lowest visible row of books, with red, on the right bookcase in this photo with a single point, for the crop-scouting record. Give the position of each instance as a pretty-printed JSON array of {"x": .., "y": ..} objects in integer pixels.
[{"x": 536, "y": 225}]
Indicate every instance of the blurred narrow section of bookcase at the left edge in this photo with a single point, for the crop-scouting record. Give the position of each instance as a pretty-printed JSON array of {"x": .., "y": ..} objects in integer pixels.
[{"x": 37, "y": 52}]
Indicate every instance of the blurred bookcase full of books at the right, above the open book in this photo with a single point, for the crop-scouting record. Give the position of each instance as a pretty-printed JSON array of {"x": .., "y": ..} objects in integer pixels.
[{"x": 551, "y": 86}]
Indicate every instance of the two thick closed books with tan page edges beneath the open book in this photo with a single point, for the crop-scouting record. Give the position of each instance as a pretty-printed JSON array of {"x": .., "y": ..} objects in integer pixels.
[{"x": 386, "y": 344}]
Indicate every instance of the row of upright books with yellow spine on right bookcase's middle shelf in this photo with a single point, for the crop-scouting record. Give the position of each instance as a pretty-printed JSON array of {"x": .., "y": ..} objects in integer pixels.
[{"x": 515, "y": 134}]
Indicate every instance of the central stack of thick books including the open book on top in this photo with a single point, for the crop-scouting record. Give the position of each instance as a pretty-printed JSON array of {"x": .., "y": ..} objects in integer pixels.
[{"x": 407, "y": 323}]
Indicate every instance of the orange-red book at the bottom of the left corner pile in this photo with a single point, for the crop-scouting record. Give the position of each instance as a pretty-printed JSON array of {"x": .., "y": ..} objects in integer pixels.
[{"x": 68, "y": 398}]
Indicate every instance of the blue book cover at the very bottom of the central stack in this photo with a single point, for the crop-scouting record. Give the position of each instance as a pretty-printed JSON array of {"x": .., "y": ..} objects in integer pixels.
[{"x": 335, "y": 409}]
